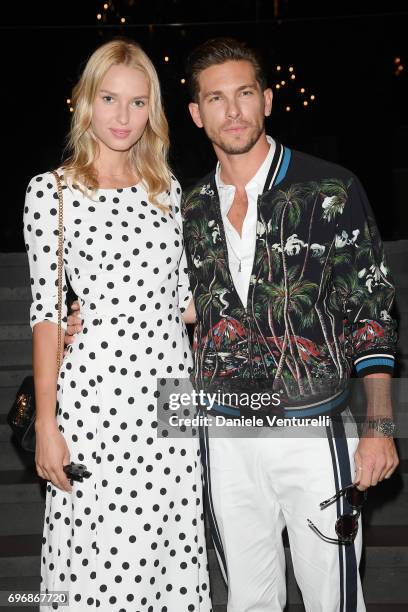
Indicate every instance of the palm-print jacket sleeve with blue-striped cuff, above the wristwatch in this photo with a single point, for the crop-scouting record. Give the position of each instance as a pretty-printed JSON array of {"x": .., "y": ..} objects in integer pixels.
[{"x": 370, "y": 330}]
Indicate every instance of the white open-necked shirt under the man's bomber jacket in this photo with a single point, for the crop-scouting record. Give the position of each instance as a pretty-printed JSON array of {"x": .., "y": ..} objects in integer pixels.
[{"x": 241, "y": 249}]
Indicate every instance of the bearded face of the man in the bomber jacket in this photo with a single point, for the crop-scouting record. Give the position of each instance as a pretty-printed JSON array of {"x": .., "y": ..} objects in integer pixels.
[{"x": 231, "y": 106}]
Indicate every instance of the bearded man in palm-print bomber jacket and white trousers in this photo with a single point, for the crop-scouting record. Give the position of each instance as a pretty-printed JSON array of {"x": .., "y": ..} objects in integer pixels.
[{"x": 286, "y": 268}]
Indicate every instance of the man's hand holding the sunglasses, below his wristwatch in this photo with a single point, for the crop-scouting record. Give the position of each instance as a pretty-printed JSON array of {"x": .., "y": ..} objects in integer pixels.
[{"x": 375, "y": 459}]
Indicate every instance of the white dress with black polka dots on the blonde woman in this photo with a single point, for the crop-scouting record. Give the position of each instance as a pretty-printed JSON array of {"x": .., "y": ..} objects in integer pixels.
[{"x": 131, "y": 537}]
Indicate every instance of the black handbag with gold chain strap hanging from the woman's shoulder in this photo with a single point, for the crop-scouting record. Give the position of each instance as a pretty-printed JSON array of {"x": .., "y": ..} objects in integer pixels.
[{"x": 21, "y": 416}]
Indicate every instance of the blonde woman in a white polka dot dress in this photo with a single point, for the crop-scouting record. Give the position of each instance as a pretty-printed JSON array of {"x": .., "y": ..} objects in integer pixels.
[{"x": 131, "y": 536}]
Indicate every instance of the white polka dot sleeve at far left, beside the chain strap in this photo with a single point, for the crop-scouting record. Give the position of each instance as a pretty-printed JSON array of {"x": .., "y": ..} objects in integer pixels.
[{"x": 41, "y": 242}]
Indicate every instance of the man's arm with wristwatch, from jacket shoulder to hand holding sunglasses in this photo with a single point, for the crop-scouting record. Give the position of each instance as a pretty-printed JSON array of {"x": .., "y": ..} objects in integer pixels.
[{"x": 371, "y": 335}]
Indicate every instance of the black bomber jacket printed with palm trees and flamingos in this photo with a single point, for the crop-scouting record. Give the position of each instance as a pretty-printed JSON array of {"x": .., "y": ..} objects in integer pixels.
[{"x": 320, "y": 292}]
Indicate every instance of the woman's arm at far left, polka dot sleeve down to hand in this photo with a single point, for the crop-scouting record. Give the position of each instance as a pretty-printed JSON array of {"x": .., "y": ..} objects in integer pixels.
[{"x": 41, "y": 241}]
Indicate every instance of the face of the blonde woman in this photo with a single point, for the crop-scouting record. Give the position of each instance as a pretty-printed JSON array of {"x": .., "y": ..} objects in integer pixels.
[{"x": 120, "y": 109}]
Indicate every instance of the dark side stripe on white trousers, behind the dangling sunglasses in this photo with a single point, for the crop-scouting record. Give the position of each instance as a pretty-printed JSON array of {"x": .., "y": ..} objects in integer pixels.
[{"x": 342, "y": 477}]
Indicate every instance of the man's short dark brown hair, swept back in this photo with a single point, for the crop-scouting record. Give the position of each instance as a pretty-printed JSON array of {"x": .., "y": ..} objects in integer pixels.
[{"x": 218, "y": 51}]
